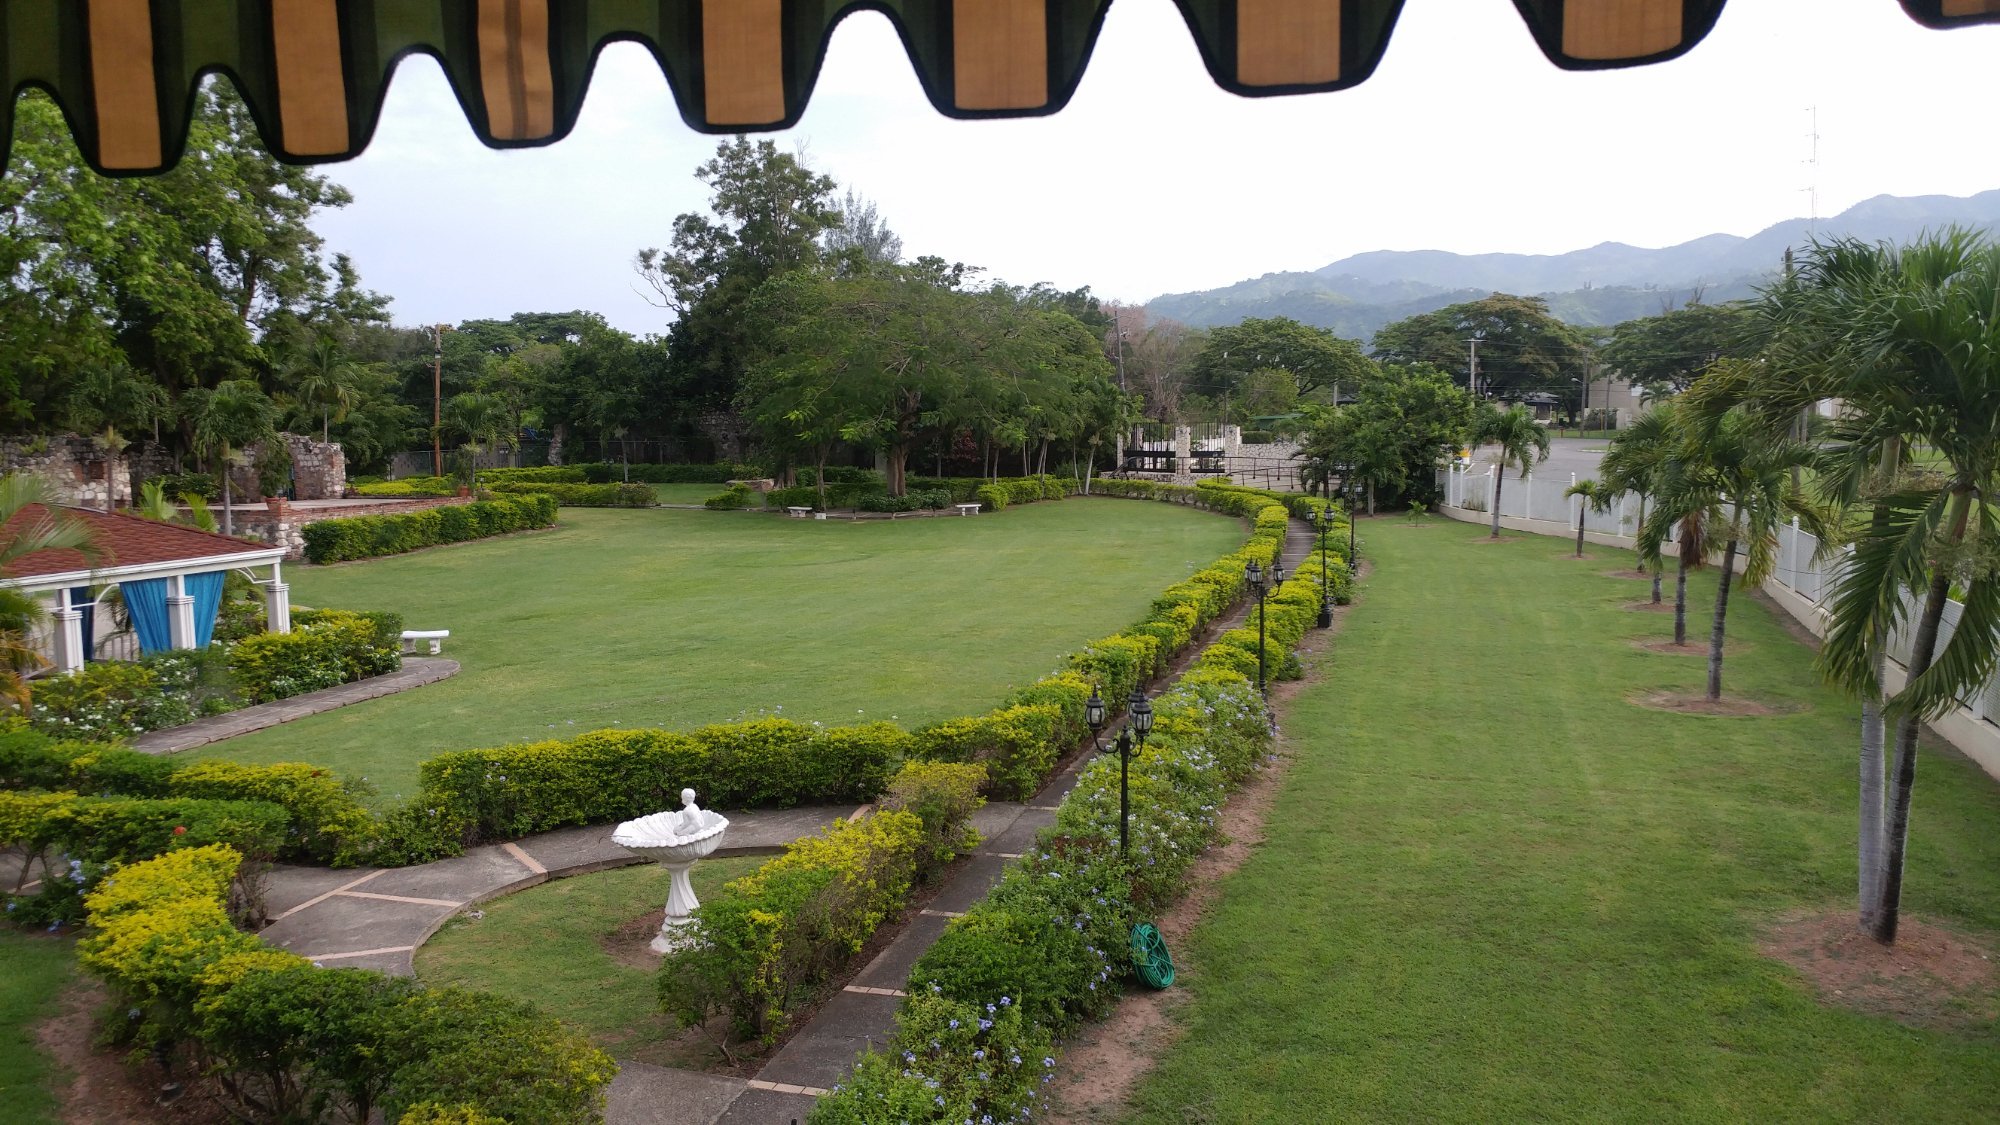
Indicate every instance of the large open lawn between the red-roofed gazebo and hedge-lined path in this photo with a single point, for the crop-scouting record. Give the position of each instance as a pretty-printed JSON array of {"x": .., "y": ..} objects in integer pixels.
[{"x": 677, "y": 620}]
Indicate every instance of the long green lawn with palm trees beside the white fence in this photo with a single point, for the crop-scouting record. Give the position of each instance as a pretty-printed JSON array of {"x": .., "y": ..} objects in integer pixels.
[{"x": 1493, "y": 890}]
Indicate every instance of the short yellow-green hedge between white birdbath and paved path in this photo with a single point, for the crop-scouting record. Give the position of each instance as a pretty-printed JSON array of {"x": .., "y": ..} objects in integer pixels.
[{"x": 771, "y": 940}]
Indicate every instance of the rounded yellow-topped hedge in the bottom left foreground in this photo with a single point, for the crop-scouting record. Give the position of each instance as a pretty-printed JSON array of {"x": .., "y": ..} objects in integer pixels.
[{"x": 293, "y": 1042}]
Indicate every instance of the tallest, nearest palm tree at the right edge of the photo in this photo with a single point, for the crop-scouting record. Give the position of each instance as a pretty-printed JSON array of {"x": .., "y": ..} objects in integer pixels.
[{"x": 1911, "y": 343}]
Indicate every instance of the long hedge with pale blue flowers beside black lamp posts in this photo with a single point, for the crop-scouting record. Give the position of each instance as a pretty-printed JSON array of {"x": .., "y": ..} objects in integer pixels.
[{"x": 1049, "y": 946}]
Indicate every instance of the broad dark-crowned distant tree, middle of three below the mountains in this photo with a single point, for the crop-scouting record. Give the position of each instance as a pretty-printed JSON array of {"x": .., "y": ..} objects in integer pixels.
[{"x": 1521, "y": 347}]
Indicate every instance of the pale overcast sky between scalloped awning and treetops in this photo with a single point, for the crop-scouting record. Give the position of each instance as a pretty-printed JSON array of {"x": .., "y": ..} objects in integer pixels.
[{"x": 1155, "y": 181}]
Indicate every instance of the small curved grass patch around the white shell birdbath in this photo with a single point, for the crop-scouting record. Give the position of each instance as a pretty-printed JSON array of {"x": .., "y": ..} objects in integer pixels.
[{"x": 549, "y": 946}]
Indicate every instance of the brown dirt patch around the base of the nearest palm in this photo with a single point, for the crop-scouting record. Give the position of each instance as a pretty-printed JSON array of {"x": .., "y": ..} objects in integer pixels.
[{"x": 1931, "y": 978}]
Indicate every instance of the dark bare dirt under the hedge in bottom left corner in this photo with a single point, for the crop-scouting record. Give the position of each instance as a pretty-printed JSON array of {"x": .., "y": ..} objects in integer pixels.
[{"x": 107, "y": 1090}]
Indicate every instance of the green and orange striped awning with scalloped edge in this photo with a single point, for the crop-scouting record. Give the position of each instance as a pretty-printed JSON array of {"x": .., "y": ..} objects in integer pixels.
[{"x": 315, "y": 71}]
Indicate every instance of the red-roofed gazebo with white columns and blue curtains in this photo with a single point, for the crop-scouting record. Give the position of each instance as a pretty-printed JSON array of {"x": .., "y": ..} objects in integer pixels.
[{"x": 171, "y": 580}]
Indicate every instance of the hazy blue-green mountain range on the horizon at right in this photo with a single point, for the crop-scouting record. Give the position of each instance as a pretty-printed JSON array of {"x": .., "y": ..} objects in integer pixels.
[{"x": 1603, "y": 285}]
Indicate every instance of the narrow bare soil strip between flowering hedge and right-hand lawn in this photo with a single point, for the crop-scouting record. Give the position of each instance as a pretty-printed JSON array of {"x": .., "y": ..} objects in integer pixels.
[{"x": 1099, "y": 1070}]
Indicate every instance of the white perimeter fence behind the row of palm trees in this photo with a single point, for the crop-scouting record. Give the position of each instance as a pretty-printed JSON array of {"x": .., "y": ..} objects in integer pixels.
[{"x": 1797, "y": 572}]
